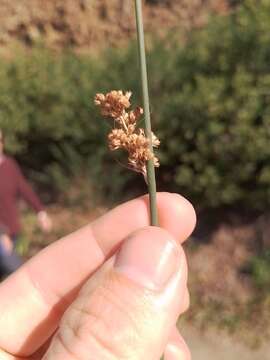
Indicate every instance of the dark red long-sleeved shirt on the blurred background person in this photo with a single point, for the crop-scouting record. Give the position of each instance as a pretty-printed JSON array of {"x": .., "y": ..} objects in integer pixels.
[{"x": 13, "y": 186}]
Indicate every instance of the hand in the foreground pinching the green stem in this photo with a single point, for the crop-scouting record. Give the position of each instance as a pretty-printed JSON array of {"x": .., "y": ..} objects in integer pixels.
[{"x": 112, "y": 290}]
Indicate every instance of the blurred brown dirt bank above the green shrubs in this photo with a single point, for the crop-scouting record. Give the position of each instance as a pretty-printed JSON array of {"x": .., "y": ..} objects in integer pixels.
[{"x": 85, "y": 25}]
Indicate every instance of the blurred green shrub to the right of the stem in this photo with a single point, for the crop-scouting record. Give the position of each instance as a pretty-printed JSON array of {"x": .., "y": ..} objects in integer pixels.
[{"x": 214, "y": 114}]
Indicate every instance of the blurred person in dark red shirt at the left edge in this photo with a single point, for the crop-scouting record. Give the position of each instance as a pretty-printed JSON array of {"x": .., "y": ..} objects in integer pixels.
[{"x": 14, "y": 186}]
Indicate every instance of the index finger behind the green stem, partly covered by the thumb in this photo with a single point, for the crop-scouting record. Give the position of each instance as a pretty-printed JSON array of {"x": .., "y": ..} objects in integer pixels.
[{"x": 34, "y": 298}]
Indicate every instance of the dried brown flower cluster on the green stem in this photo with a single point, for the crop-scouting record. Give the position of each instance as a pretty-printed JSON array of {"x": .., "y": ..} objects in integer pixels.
[{"x": 125, "y": 134}]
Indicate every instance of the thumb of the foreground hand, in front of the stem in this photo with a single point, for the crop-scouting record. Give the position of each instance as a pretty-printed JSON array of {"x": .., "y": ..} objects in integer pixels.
[{"x": 128, "y": 310}]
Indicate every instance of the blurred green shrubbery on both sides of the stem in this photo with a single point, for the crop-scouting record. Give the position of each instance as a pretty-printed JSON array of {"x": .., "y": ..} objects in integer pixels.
[{"x": 210, "y": 105}]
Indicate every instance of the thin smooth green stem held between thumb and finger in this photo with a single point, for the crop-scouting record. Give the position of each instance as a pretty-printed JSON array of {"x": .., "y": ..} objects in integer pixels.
[{"x": 151, "y": 179}]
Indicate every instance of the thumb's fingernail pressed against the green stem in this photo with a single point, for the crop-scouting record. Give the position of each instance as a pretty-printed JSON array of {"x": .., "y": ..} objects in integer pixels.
[{"x": 150, "y": 257}]
